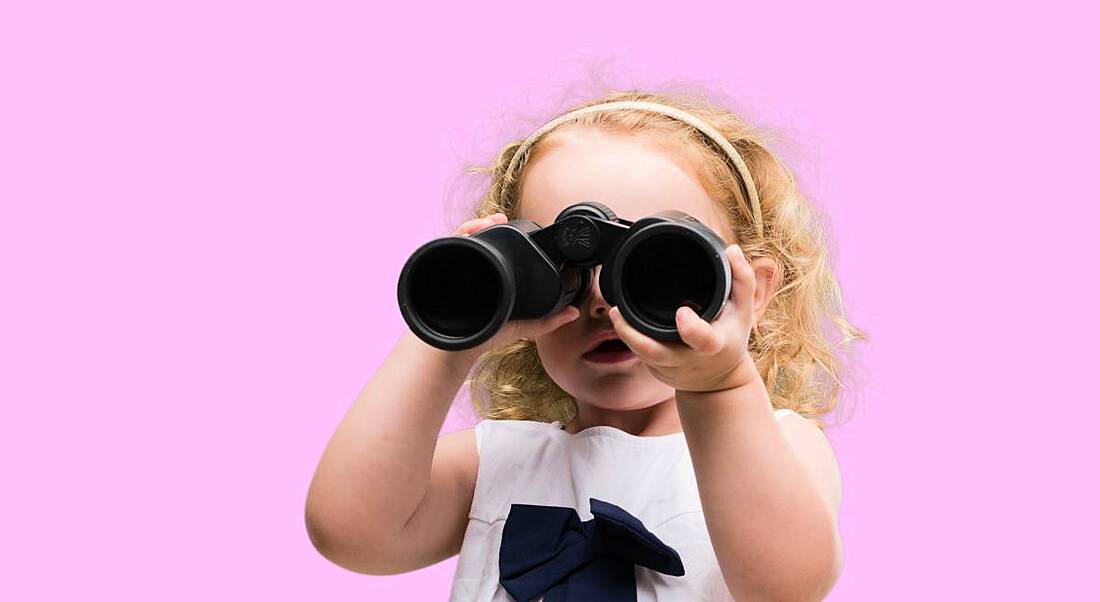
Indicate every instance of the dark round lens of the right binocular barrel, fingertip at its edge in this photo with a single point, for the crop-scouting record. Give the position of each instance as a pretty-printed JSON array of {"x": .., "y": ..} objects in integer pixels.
[{"x": 666, "y": 272}]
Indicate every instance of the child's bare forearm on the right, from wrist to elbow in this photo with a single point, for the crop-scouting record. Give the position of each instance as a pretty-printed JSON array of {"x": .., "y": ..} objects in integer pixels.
[{"x": 772, "y": 531}]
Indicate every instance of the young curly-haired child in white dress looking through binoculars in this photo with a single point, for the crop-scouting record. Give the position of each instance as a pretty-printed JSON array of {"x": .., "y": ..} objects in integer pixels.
[{"x": 694, "y": 470}]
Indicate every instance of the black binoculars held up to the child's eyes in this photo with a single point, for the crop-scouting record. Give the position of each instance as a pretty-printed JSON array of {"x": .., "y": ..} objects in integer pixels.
[{"x": 457, "y": 292}]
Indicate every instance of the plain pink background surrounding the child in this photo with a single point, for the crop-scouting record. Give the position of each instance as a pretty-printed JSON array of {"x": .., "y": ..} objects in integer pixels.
[{"x": 206, "y": 207}]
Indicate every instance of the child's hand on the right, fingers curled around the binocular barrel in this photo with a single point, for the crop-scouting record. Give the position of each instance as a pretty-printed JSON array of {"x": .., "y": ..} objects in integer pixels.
[{"x": 712, "y": 353}]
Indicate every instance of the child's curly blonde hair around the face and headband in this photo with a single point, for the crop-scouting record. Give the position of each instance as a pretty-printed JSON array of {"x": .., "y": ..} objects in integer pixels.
[{"x": 799, "y": 365}]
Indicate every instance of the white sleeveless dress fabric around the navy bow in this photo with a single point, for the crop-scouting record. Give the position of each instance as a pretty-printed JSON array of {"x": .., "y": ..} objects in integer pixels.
[{"x": 652, "y": 478}]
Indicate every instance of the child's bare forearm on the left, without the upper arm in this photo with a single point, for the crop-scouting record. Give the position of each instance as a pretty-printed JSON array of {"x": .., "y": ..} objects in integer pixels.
[{"x": 376, "y": 469}]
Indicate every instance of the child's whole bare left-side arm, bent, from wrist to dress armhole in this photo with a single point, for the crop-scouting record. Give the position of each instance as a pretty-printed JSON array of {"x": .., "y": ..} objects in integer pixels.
[{"x": 387, "y": 498}]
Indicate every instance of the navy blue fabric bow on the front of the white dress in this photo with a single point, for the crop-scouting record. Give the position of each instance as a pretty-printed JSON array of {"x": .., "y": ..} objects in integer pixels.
[{"x": 548, "y": 550}]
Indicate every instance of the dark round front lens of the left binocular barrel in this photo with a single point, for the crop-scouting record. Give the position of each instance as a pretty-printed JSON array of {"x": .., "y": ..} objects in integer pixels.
[{"x": 456, "y": 291}]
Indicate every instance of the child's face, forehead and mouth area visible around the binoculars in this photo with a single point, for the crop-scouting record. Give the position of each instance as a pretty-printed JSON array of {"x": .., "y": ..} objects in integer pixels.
[{"x": 636, "y": 178}]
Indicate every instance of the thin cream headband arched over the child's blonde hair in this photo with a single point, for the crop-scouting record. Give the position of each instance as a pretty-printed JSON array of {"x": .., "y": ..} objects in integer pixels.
[{"x": 746, "y": 180}]
